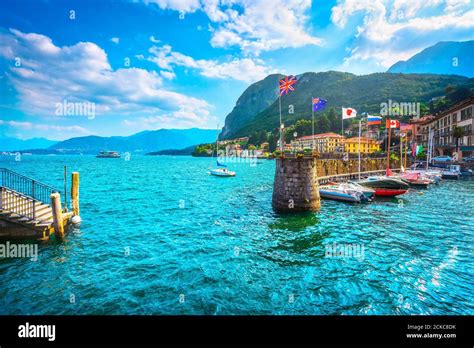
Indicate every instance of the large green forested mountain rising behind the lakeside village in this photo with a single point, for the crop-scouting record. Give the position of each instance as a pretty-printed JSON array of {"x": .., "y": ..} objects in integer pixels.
[{"x": 340, "y": 89}]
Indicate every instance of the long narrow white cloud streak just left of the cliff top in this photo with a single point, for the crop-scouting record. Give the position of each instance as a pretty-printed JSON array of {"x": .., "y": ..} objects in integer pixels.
[{"x": 246, "y": 69}]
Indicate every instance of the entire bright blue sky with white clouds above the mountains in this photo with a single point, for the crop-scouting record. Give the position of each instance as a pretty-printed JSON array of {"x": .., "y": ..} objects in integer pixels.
[{"x": 155, "y": 64}]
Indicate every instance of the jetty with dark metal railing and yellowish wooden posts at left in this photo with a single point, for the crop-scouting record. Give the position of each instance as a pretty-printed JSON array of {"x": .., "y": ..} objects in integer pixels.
[{"x": 32, "y": 210}]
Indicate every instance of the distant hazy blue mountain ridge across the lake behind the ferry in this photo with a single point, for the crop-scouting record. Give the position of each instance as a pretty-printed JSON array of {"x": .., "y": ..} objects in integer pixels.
[{"x": 143, "y": 142}]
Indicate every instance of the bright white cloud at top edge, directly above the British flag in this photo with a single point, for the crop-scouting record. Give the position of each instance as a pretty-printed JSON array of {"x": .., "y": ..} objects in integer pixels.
[{"x": 252, "y": 25}]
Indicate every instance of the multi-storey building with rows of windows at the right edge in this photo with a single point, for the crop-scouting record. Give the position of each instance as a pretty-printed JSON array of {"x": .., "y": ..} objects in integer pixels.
[{"x": 443, "y": 124}]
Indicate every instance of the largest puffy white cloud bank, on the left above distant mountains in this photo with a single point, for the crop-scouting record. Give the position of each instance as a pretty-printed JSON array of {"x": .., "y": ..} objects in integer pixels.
[{"x": 81, "y": 73}]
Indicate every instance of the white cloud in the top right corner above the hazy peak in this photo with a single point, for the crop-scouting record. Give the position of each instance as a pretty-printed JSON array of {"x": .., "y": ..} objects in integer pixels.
[{"x": 396, "y": 30}]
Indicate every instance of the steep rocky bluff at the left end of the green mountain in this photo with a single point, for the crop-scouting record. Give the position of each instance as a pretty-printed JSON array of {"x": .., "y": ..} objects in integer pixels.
[{"x": 255, "y": 98}]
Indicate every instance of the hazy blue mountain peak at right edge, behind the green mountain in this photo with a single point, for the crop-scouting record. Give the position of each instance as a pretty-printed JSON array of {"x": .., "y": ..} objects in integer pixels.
[{"x": 449, "y": 57}]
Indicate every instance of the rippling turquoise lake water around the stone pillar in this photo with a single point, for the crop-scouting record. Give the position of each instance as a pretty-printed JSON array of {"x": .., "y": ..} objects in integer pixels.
[{"x": 160, "y": 236}]
